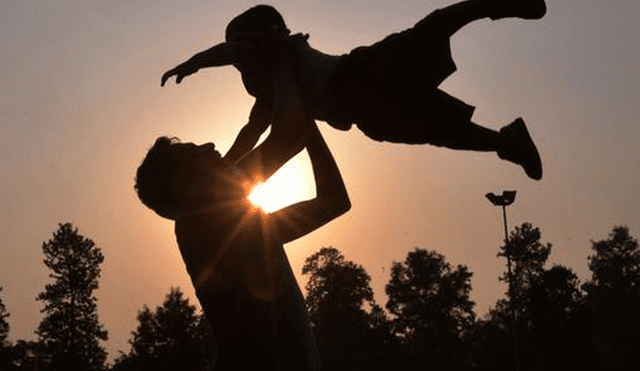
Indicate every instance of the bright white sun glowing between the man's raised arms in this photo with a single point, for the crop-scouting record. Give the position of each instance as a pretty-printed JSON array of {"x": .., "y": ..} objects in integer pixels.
[{"x": 288, "y": 185}]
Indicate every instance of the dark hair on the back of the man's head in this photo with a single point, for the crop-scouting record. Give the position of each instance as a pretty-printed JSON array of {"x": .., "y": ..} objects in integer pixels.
[{"x": 161, "y": 178}]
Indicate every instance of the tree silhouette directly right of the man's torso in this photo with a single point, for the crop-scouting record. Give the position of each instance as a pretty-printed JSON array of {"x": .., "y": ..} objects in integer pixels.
[{"x": 344, "y": 315}]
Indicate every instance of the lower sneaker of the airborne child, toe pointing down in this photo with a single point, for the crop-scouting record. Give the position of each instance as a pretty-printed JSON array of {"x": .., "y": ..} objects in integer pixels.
[{"x": 519, "y": 148}]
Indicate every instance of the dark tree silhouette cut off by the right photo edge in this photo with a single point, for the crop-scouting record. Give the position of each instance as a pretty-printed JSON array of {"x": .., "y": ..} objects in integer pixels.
[{"x": 613, "y": 297}]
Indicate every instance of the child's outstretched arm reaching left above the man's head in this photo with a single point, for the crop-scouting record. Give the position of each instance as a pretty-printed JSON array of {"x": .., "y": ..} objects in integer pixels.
[{"x": 223, "y": 54}]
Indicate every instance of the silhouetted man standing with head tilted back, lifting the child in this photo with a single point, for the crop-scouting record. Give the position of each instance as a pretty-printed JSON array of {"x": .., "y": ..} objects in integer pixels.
[{"x": 234, "y": 252}]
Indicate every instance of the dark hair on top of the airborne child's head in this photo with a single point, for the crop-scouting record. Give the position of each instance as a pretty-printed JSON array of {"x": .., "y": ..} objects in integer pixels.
[{"x": 261, "y": 19}]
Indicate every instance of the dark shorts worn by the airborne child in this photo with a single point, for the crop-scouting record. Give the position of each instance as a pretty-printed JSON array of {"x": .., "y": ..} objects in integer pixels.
[{"x": 390, "y": 89}]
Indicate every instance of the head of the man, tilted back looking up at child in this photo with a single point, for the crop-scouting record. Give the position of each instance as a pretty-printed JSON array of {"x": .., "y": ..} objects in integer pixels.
[{"x": 171, "y": 169}]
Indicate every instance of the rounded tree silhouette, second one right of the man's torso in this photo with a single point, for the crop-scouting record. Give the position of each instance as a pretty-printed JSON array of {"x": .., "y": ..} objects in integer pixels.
[{"x": 431, "y": 308}]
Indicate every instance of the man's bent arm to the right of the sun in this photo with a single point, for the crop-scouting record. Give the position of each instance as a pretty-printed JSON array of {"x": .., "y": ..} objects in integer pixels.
[{"x": 331, "y": 201}]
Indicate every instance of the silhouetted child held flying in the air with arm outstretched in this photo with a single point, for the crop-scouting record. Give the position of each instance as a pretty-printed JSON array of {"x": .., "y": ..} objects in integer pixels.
[{"x": 389, "y": 90}]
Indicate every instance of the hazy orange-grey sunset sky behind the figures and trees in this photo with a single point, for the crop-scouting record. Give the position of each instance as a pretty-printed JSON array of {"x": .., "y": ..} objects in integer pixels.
[{"x": 81, "y": 102}]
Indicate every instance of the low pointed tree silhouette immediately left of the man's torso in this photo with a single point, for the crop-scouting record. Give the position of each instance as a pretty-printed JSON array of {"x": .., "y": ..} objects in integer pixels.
[{"x": 171, "y": 337}]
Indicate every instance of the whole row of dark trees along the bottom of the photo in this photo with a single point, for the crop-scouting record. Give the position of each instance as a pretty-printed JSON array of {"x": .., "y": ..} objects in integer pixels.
[{"x": 547, "y": 319}]
